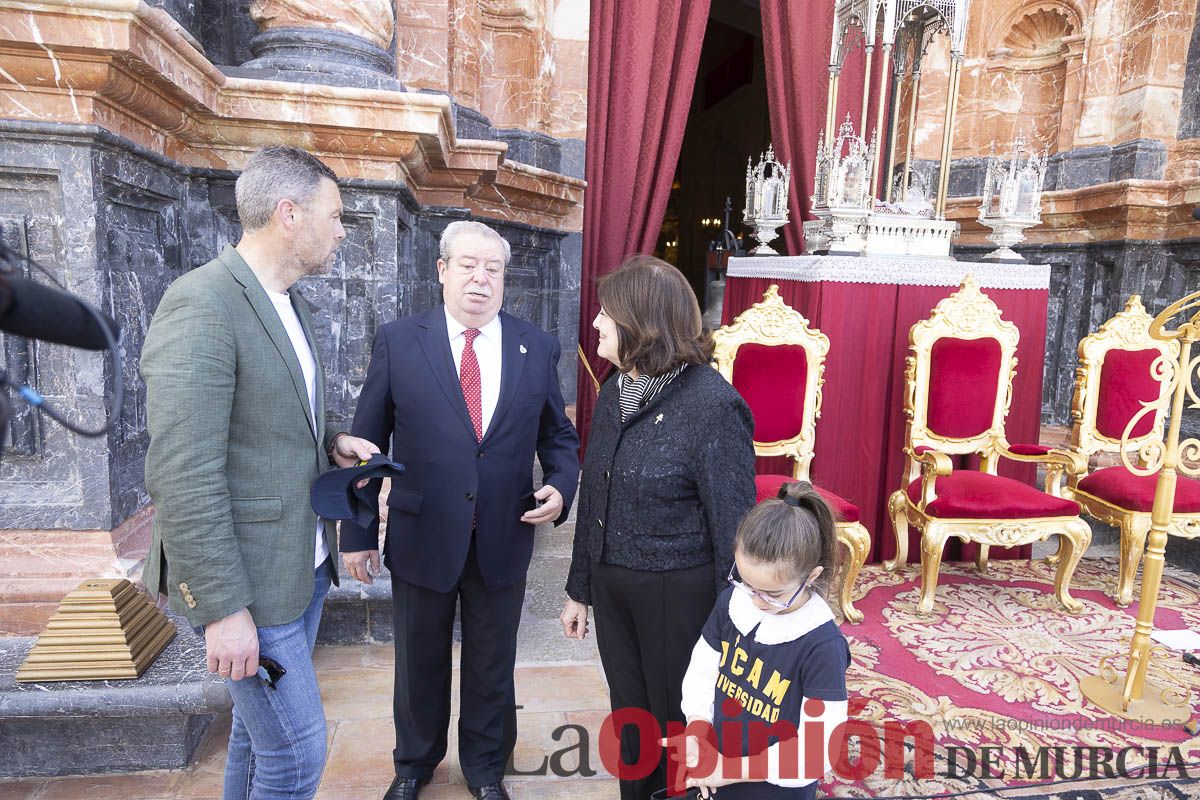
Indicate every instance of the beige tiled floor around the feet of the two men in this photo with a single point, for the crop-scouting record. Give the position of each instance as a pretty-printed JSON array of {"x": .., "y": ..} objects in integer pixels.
[{"x": 357, "y": 690}]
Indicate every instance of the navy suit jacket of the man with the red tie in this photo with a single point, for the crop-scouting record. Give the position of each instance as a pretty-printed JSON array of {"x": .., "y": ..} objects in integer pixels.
[{"x": 412, "y": 404}]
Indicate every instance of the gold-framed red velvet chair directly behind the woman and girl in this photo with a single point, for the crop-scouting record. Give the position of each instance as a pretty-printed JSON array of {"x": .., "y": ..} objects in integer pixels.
[{"x": 777, "y": 364}]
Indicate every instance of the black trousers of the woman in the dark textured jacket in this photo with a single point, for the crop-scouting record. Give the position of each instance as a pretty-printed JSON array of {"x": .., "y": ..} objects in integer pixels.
[{"x": 647, "y": 624}]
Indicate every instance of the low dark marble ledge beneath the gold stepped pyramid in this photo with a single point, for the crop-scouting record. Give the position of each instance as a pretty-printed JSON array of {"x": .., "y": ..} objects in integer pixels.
[{"x": 109, "y": 726}]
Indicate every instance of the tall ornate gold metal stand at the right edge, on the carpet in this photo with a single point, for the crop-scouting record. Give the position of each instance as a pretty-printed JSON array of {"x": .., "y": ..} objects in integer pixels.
[{"x": 1138, "y": 699}]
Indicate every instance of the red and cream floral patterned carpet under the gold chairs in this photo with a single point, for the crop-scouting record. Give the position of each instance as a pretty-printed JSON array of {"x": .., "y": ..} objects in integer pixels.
[{"x": 998, "y": 665}]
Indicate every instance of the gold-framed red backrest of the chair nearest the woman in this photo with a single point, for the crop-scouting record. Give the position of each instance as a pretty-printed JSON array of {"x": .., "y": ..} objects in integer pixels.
[{"x": 777, "y": 364}]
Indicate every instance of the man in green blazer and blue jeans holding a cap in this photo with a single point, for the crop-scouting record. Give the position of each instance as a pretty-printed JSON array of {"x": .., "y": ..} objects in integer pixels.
[{"x": 237, "y": 420}]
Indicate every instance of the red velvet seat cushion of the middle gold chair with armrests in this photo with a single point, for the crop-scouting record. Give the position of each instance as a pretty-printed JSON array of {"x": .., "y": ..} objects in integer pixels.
[{"x": 979, "y": 496}]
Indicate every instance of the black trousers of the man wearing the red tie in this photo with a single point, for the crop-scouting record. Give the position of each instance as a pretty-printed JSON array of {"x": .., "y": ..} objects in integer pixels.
[{"x": 488, "y": 718}]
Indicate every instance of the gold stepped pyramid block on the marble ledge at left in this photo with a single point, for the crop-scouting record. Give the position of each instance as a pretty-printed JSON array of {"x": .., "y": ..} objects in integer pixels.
[{"x": 105, "y": 630}]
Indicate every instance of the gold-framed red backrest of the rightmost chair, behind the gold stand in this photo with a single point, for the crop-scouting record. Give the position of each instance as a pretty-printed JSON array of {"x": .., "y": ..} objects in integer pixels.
[{"x": 1118, "y": 384}]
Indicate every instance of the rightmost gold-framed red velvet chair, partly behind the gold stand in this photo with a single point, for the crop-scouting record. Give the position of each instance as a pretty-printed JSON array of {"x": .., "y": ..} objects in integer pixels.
[{"x": 1118, "y": 377}]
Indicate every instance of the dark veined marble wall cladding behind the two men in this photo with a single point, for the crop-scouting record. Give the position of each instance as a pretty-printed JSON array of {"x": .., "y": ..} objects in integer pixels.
[{"x": 118, "y": 224}]
